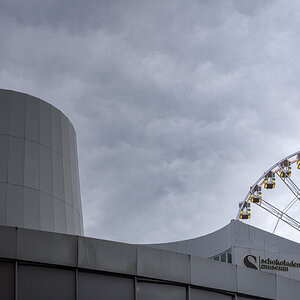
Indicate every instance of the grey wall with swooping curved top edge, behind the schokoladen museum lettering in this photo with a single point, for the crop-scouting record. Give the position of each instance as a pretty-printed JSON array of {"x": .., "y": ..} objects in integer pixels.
[{"x": 243, "y": 240}]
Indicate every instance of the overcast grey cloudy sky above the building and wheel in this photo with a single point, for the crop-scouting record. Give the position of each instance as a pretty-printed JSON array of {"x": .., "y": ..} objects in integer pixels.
[{"x": 179, "y": 106}]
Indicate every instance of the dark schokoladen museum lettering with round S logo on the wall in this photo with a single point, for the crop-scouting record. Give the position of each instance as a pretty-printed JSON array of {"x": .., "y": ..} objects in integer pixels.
[{"x": 252, "y": 262}]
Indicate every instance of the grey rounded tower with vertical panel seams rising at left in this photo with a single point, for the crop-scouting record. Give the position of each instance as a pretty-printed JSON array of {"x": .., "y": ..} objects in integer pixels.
[{"x": 39, "y": 179}]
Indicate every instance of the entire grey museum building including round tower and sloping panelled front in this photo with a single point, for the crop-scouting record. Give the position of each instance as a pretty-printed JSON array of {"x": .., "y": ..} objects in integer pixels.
[{"x": 44, "y": 255}]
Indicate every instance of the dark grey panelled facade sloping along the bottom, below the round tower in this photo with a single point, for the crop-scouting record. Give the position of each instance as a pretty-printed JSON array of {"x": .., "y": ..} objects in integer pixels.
[{"x": 98, "y": 269}]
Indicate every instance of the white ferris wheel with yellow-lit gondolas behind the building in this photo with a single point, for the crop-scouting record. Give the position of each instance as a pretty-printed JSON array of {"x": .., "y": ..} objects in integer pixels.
[{"x": 283, "y": 171}]
